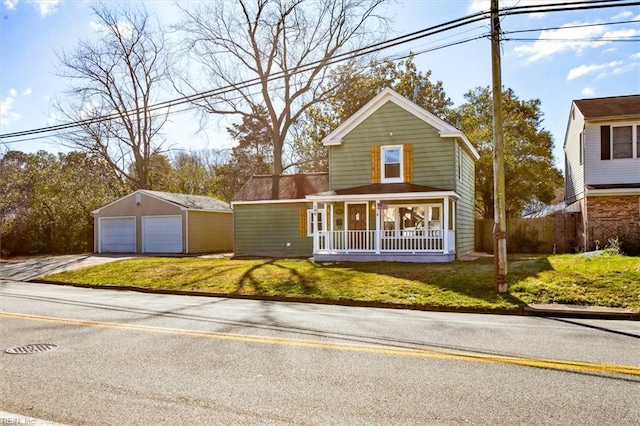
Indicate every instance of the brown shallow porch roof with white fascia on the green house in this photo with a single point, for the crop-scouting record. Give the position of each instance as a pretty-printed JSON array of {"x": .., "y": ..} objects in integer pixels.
[{"x": 387, "y": 191}]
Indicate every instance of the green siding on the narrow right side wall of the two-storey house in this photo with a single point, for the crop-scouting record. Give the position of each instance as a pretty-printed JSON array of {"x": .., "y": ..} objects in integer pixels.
[{"x": 465, "y": 217}]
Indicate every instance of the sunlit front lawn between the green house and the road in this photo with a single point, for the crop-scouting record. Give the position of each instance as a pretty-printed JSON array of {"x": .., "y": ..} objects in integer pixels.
[{"x": 606, "y": 280}]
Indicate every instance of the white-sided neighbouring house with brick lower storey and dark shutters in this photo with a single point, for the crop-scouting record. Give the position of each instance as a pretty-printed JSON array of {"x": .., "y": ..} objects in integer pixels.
[{"x": 602, "y": 169}]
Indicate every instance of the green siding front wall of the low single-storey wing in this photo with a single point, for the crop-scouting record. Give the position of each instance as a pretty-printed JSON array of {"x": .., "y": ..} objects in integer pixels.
[{"x": 265, "y": 230}]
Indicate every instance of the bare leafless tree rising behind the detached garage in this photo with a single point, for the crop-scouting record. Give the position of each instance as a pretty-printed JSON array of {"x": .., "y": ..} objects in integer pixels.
[{"x": 118, "y": 77}]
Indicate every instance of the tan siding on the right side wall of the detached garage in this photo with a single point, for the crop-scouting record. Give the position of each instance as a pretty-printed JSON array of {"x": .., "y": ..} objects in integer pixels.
[{"x": 210, "y": 232}]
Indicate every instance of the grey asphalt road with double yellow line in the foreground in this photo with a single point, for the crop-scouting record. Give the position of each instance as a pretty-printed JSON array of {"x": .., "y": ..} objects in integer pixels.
[{"x": 134, "y": 358}]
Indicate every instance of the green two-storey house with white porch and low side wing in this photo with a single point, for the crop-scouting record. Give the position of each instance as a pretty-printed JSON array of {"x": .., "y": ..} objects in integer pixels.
[{"x": 400, "y": 187}]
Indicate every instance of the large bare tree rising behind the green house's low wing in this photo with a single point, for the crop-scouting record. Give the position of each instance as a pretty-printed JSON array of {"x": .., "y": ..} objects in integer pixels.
[{"x": 285, "y": 46}]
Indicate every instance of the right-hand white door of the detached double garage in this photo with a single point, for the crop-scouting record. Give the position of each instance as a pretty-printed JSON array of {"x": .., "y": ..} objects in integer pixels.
[{"x": 162, "y": 234}]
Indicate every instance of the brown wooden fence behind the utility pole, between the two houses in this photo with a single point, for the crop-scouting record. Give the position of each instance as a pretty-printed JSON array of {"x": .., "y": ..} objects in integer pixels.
[{"x": 551, "y": 234}]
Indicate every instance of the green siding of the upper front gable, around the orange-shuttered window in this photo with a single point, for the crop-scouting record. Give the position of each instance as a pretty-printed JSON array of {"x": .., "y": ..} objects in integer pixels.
[{"x": 433, "y": 156}]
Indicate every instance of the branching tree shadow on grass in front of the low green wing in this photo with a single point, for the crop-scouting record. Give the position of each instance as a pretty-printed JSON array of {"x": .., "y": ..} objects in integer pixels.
[{"x": 293, "y": 283}]
